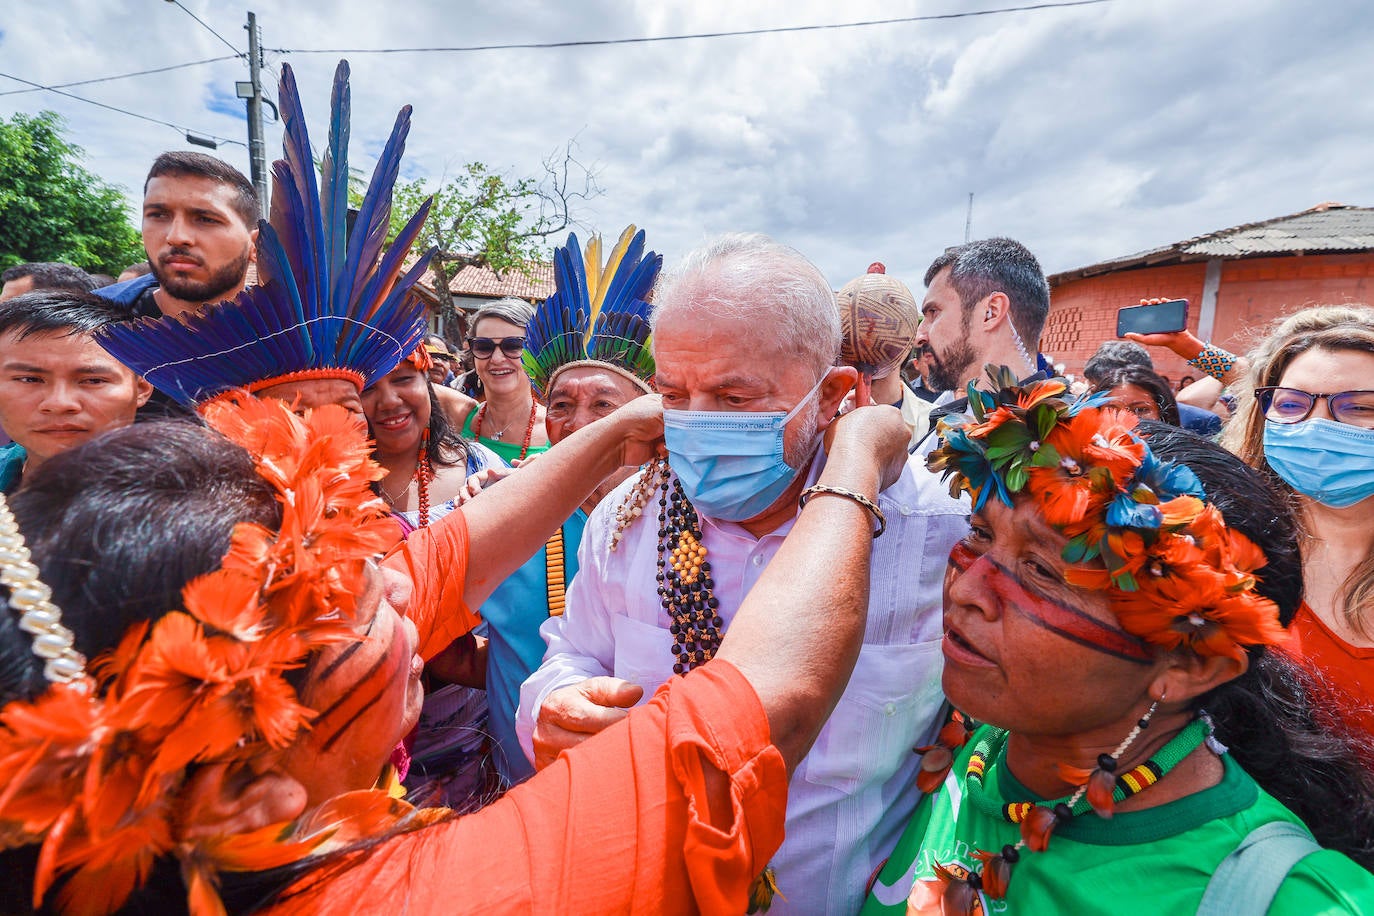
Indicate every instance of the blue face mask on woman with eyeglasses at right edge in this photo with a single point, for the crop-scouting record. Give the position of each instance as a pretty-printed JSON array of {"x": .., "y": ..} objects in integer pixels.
[{"x": 1329, "y": 462}]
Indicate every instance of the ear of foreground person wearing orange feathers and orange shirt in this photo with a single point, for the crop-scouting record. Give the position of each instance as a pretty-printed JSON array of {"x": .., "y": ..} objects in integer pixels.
[{"x": 223, "y": 800}]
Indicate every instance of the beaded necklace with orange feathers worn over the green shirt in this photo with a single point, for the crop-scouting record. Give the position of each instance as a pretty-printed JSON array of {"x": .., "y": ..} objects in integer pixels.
[{"x": 1038, "y": 821}]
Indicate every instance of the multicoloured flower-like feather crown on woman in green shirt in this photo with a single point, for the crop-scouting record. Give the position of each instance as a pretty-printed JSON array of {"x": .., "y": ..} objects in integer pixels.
[{"x": 1140, "y": 528}]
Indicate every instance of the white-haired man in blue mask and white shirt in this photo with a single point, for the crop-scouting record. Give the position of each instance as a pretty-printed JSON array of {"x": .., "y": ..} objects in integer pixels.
[{"x": 747, "y": 337}]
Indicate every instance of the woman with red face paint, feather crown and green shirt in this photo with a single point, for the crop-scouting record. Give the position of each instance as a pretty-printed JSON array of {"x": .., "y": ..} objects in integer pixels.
[{"x": 1123, "y": 730}]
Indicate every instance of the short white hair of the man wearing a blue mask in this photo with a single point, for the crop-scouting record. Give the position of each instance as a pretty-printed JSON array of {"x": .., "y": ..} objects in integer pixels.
[{"x": 751, "y": 277}]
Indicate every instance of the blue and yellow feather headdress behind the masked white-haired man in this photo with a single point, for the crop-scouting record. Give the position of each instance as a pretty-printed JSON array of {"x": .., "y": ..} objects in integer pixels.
[{"x": 597, "y": 317}]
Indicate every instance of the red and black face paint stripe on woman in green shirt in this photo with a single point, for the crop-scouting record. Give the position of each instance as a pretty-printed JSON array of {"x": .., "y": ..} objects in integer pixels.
[{"x": 1050, "y": 613}]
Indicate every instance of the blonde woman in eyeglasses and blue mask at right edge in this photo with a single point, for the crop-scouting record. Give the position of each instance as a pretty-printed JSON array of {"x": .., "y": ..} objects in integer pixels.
[{"x": 1310, "y": 426}]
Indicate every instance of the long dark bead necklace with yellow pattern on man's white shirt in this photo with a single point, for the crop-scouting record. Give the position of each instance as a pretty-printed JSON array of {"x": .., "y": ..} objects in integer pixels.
[{"x": 685, "y": 584}]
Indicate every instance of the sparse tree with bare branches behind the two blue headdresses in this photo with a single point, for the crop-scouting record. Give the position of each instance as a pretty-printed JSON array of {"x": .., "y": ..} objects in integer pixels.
[{"x": 486, "y": 219}]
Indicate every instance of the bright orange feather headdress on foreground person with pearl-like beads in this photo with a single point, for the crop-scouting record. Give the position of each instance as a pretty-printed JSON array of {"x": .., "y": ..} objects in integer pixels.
[{"x": 95, "y": 766}]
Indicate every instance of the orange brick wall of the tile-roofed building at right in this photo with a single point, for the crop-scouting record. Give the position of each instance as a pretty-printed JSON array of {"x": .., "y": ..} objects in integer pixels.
[{"x": 1254, "y": 292}]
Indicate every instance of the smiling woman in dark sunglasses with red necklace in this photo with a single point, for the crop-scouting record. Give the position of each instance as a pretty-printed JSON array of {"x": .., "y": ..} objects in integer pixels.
[{"x": 512, "y": 420}]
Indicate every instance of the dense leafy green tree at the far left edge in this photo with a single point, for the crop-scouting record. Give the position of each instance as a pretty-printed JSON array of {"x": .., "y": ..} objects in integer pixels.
[{"x": 53, "y": 209}]
